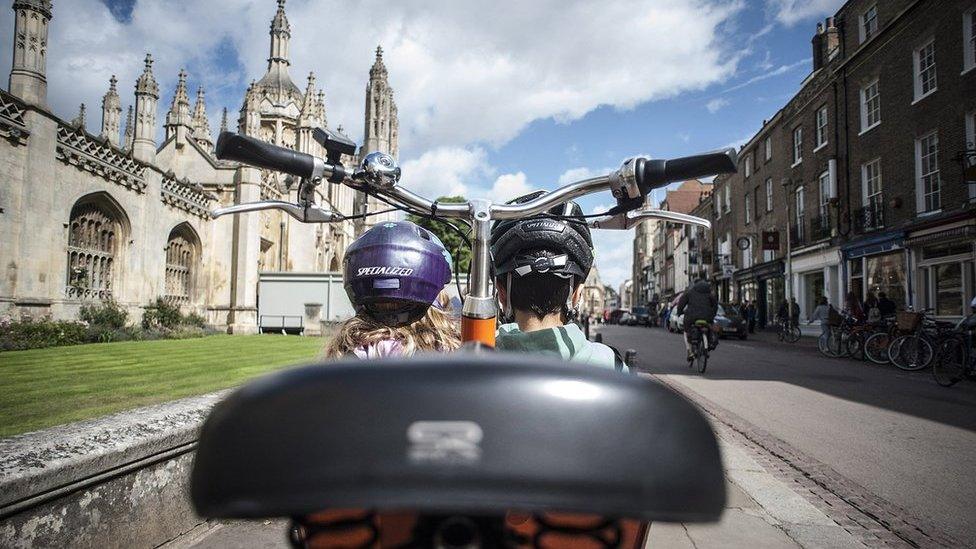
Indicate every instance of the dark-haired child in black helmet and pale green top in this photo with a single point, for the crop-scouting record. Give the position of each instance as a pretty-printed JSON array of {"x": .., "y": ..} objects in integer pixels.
[{"x": 540, "y": 266}]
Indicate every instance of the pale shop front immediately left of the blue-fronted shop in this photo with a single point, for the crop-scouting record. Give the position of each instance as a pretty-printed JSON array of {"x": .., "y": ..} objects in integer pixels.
[{"x": 816, "y": 273}]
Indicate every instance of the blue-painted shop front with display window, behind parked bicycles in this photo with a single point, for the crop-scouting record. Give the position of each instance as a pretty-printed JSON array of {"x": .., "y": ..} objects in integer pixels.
[{"x": 879, "y": 264}]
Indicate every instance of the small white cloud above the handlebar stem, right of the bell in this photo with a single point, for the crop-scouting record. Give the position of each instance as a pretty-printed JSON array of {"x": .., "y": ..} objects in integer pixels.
[{"x": 445, "y": 171}]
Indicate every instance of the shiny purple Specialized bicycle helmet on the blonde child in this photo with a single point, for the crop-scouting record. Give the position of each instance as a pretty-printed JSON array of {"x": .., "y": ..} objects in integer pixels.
[{"x": 394, "y": 271}]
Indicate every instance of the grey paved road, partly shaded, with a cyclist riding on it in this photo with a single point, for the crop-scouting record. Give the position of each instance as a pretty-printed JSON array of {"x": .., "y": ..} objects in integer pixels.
[{"x": 896, "y": 435}]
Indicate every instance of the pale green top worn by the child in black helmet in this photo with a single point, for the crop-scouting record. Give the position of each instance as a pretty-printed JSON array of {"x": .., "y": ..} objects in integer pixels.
[{"x": 566, "y": 342}]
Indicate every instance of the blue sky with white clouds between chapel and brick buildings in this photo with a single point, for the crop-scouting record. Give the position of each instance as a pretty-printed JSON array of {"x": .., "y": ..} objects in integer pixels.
[{"x": 491, "y": 103}]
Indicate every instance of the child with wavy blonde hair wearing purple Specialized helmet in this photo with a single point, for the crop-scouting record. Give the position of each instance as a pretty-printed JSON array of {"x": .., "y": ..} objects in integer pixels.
[{"x": 394, "y": 275}]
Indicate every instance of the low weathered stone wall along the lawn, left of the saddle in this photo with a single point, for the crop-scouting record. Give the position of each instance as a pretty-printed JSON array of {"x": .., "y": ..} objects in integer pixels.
[{"x": 117, "y": 481}]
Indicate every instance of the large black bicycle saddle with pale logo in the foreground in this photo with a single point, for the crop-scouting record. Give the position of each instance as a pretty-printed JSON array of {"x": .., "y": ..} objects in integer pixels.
[{"x": 458, "y": 433}]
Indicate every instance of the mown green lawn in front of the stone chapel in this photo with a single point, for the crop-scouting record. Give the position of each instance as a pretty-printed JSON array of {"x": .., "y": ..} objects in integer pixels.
[{"x": 44, "y": 387}]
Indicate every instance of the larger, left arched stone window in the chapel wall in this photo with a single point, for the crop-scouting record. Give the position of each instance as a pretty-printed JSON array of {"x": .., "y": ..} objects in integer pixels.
[{"x": 96, "y": 232}]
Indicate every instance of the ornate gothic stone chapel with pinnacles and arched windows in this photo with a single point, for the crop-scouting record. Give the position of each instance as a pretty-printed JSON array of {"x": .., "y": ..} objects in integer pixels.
[{"x": 117, "y": 216}]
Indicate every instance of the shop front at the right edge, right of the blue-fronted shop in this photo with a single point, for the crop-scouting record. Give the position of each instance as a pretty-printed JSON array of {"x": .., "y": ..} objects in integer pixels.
[{"x": 944, "y": 261}]
